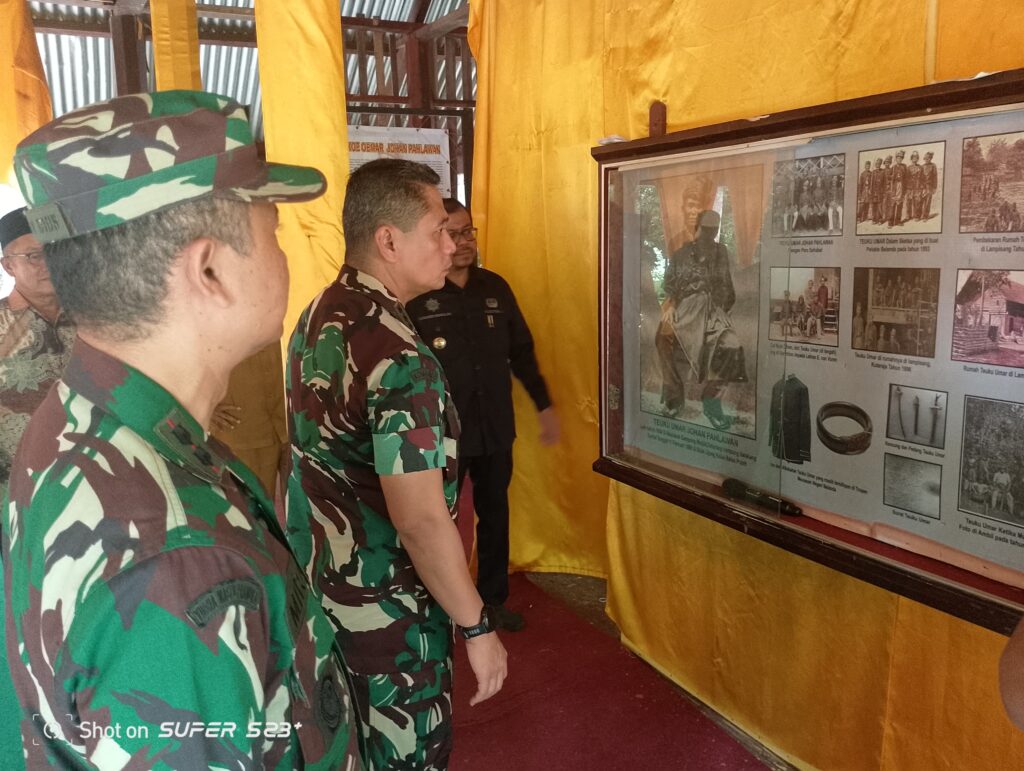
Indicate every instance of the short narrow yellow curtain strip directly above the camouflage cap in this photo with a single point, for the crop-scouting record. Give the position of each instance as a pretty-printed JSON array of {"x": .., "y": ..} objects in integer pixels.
[{"x": 176, "y": 45}]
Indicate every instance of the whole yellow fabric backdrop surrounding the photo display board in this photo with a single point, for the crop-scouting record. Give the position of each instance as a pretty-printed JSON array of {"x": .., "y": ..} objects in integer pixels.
[{"x": 831, "y": 672}]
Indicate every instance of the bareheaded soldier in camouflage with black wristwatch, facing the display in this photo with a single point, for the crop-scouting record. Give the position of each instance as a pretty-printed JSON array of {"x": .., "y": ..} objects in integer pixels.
[{"x": 372, "y": 496}]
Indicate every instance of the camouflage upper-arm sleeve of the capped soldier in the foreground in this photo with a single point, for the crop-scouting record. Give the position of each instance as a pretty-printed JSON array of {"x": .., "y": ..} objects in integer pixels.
[{"x": 163, "y": 652}]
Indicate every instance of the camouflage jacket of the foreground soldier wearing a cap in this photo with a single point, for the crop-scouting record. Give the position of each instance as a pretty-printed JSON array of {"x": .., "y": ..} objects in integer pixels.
[{"x": 156, "y": 617}]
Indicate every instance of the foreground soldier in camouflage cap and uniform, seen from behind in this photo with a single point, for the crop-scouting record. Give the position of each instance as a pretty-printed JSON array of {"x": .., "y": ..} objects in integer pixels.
[{"x": 156, "y": 617}]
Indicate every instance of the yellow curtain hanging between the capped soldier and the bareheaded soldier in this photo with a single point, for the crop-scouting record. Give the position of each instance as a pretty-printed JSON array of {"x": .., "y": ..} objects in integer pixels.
[{"x": 304, "y": 79}]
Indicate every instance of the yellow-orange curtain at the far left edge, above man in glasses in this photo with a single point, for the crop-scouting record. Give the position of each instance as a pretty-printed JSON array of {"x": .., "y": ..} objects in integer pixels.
[{"x": 25, "y": 100}]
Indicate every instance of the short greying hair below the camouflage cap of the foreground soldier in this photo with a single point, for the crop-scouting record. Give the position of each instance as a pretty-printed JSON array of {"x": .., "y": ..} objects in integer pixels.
[{"x": 114, "y": 282}]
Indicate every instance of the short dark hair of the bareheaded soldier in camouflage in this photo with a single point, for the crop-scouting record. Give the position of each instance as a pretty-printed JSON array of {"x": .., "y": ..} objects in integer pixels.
[{"x": 386, "y": 192}]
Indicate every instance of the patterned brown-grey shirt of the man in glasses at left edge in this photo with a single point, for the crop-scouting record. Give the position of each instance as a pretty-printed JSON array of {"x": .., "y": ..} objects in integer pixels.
[{"x": 33, "y": 355}]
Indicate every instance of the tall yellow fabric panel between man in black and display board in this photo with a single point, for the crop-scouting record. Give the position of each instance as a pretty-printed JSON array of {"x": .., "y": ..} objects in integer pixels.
[{"x": 534, "y": 199}]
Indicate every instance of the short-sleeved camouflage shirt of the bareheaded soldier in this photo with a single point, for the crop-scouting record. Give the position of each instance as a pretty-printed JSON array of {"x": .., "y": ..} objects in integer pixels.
[{"x": 366, "y": 398}]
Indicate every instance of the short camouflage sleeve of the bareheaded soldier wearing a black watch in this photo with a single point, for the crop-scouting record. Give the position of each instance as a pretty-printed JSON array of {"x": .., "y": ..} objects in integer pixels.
[{"x": 406, "y": 401}]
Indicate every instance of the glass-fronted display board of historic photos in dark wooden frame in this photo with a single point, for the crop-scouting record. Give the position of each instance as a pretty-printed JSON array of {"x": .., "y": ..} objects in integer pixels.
[{"x": 813, "y": 330}]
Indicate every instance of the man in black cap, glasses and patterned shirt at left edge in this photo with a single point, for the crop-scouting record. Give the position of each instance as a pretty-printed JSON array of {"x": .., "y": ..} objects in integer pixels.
[{"x": 35, "y": 336}]
